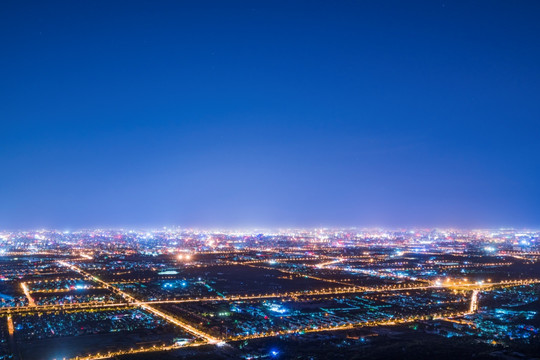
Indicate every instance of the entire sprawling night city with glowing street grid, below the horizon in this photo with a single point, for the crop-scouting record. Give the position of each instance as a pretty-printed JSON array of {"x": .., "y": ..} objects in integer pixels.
[{"x": 175, "y": 293}]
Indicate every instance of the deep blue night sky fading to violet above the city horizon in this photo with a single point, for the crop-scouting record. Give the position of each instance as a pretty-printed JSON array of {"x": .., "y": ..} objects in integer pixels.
[{"x": 258, "y": 113}]
